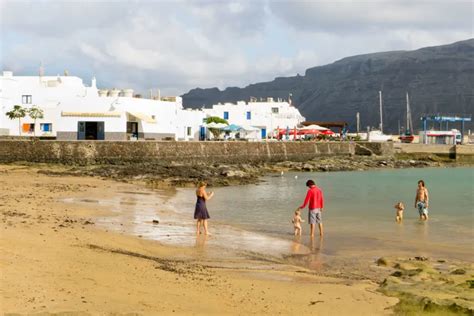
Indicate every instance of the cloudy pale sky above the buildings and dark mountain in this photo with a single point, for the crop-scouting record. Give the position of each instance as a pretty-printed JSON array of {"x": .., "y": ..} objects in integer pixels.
[{"x": 175, "y": 46}]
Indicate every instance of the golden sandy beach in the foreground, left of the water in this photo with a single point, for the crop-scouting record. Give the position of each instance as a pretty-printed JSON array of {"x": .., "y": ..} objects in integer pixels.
[{"x": 56, "y": 259}]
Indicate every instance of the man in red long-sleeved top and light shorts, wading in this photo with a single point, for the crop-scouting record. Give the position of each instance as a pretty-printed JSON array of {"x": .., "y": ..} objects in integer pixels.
[{"x": 314, "y": 199}]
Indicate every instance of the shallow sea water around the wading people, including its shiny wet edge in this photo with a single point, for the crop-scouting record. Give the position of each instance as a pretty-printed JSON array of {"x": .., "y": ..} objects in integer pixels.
[{"x": 359, "y": 214}]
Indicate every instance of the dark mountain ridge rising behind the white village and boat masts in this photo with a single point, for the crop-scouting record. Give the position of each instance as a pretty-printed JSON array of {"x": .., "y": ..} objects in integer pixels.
[{"x": 439, "y": 80}]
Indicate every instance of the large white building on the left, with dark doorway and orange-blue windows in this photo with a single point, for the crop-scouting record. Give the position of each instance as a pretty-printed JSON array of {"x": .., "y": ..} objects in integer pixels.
[{"x": 73, "y": 111}]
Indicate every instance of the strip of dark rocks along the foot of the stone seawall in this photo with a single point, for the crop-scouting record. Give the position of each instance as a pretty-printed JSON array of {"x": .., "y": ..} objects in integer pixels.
[{"x": 176, "y": 175}]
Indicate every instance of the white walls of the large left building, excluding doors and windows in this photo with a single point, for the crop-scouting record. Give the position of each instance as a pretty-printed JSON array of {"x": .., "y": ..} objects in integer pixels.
[{"x": 55, "y": 95}]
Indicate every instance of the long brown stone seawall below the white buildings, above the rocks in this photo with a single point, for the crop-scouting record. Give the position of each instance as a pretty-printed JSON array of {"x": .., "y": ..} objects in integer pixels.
[{"x": 123, "y": 152}]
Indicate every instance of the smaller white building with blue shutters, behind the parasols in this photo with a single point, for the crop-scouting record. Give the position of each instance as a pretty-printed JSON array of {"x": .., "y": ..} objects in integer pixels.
[{"x": 267, "y": 115}]
